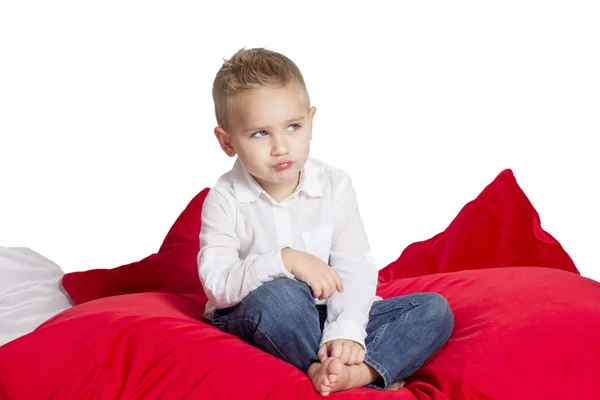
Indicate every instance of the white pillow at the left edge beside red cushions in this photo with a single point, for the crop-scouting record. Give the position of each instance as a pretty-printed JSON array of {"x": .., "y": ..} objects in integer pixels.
[{"x": 30, "y": 292}]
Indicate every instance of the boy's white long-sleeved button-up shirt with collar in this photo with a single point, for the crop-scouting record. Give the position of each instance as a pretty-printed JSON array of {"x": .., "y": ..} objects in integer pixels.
[{"x": 244, "y": 230}]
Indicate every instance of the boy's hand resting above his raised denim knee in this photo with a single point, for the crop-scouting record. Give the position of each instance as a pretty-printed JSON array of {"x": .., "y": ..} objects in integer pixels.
[{"x": 320, "y": 277}]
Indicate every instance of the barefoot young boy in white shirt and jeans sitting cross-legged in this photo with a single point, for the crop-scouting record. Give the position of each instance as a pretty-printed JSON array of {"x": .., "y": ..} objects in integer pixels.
[{"x": 284, "y": 259}]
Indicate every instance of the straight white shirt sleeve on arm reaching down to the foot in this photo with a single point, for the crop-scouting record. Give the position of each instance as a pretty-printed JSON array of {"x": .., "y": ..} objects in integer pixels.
[{"x": 348, "y": 312}]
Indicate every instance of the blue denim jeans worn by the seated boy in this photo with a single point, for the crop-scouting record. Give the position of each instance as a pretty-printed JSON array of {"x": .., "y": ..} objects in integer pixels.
[{"x": 281, "y": 318}]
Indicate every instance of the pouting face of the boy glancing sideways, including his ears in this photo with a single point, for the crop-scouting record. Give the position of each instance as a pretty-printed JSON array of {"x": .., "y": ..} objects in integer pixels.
[{"x": 270, "y": 131}]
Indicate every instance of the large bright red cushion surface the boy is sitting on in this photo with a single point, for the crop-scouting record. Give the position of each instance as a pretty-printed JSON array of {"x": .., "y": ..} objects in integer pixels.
[{"x": 520, "y": 333}]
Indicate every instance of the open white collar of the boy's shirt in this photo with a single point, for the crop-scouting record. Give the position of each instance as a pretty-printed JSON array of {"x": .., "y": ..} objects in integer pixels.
[{"x": 248, "y": 190}]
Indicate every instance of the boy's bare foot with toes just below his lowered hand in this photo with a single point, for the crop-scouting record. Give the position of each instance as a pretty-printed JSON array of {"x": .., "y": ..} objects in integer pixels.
[{"x": 333, "y": 376}]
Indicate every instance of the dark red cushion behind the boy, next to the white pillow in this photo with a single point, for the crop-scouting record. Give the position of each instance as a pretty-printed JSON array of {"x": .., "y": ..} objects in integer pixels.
[{"x": 173, "y": 269}]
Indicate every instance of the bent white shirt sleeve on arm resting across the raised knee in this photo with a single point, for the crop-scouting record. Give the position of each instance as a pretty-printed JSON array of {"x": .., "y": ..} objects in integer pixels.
[{"x": 226, "y": 278}]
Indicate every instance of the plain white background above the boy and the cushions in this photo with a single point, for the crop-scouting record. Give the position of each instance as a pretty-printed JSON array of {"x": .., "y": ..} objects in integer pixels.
[{"x": 106, "y": 114}]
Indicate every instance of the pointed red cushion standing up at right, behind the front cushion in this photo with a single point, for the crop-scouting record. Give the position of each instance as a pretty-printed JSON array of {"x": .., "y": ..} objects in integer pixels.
[{"x": 500, "y": 228}]
